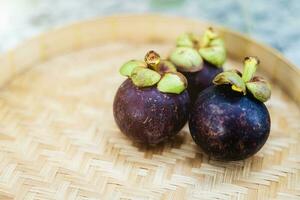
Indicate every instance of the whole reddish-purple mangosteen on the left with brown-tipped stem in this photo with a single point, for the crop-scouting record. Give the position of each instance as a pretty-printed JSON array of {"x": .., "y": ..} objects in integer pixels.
[{"x": 153, "y": 104}]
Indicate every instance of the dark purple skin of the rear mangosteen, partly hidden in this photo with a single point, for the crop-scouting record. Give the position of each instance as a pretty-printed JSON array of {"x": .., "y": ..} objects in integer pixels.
[{"x": 200, "y": 80}]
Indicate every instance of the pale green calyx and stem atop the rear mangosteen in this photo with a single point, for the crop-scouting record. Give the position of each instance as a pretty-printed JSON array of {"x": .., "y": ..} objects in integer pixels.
[{"x": 192, "y": 48}]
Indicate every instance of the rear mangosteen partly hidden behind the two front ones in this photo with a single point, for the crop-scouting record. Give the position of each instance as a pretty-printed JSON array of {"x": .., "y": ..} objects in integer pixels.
[{"x": 200, "y": 59}]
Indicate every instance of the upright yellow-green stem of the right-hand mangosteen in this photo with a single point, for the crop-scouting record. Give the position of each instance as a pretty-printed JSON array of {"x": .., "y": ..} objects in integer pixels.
[{"x": 250, "y": 66}]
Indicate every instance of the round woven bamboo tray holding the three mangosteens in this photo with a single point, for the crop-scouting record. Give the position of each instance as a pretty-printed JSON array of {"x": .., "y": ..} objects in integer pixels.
[{"x": 58, "y": 139}]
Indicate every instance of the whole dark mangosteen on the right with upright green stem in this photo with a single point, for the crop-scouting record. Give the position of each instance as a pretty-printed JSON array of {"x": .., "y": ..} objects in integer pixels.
[{"x": 229, "y": 120}]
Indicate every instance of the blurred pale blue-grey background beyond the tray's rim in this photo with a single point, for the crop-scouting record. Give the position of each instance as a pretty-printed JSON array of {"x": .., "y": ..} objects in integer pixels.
[{"x": 276, "y": 22}]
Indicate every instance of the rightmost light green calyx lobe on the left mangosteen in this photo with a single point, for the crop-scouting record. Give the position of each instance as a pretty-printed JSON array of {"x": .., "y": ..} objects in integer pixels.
[{"x": 172, "y": 83}]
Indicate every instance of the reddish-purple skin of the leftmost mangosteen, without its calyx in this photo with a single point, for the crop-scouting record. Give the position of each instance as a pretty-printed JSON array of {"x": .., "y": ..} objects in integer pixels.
[{"x": 147, "y": 115}]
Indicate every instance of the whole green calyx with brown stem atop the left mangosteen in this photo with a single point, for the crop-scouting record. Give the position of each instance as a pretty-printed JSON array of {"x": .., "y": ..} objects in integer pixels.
[{"x": 154, "y": 71}]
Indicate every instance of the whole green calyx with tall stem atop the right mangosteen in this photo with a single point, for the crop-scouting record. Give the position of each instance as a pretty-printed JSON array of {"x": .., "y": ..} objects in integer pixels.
[{"x": 257, "y": 86}]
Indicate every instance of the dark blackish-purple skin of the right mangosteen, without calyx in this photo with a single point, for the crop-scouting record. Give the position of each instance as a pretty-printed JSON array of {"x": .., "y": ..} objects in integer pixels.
[{"x": 228, "y": 125}]
